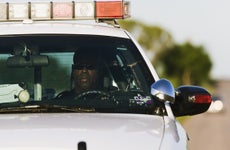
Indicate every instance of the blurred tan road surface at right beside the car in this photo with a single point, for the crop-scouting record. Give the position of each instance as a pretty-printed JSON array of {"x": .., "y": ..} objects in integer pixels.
[{"x": 211, "y": 131}]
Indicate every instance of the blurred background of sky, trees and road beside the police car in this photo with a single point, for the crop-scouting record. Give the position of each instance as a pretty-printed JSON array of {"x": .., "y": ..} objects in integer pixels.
[{"x": 187, "y": 42}]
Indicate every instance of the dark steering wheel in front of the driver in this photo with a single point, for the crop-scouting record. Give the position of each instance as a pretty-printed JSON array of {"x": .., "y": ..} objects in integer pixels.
[{"x": 93, "y": 94}]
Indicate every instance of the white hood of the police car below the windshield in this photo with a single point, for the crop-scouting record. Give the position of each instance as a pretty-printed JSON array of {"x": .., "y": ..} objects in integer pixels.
[{"x": 64, "y": 131}]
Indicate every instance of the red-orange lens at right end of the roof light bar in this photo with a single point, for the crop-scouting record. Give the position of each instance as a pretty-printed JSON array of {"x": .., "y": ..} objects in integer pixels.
[{"x": 109, "y": 9}]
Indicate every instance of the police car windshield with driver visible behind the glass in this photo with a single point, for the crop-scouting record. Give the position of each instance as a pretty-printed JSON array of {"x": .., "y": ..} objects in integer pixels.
[{"x": 73, "y": 73}]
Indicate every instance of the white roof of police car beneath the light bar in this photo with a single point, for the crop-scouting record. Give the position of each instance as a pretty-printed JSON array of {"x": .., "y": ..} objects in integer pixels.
[{"x": 61, "y": 27}]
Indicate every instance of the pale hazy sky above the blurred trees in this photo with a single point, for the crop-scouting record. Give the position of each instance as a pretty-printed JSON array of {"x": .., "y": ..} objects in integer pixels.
[{"x": 202, "y": 22}]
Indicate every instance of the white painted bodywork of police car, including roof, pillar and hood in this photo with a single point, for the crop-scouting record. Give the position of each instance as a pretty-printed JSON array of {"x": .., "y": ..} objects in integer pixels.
[{"x": 97, "y": 131}]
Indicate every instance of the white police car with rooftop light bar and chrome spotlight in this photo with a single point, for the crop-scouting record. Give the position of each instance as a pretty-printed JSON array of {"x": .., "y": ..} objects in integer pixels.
[{"x": 134, "y": 108}]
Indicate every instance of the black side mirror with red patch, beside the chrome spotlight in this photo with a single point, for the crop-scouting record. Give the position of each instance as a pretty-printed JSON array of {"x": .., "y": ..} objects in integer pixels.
[{"x": 191, "y": 100}]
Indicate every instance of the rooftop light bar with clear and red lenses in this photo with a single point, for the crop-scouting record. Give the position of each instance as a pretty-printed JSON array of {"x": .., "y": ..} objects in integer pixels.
[{"x": 103, "y": 9}]
